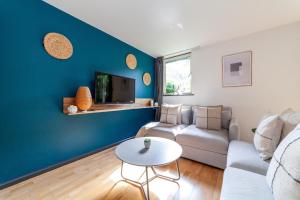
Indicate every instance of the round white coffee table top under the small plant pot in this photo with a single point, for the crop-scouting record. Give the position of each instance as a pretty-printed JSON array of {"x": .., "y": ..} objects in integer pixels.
[{"x": 161, "y": 152}]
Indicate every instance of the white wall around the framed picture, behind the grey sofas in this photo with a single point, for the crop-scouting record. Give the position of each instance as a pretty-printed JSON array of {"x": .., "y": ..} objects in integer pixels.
[{"x": 276, "y": 76}]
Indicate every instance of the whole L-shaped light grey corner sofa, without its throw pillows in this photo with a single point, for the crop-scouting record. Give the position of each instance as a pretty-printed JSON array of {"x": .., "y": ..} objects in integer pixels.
[{"x": 244, "y": 176}]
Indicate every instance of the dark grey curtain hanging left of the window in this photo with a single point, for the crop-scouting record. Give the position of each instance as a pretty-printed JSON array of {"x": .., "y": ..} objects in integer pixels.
[{"x": 158, "y": 85}]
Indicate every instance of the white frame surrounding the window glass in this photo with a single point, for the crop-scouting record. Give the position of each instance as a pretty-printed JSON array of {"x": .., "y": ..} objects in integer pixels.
[{"x": 173, "y": 59}]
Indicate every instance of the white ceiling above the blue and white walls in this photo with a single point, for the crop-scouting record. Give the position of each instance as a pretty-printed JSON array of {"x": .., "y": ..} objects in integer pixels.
[{"x": 162, "y": 27}]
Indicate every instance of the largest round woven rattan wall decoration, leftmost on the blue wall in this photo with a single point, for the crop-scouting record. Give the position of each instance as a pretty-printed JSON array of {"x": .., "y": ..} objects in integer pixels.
[{"x": 58, "y": 46}]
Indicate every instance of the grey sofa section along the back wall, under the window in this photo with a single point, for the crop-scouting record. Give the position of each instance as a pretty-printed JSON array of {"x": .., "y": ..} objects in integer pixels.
[{"x": 202, "y": 145}]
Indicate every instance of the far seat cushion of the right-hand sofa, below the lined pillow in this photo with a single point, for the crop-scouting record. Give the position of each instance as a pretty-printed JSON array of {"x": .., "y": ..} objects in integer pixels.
[{"x": 243, "y": 155}]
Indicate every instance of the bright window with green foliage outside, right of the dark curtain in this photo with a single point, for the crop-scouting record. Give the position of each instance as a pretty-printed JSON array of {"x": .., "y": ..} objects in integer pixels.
[{"x": 177, "y": 75}]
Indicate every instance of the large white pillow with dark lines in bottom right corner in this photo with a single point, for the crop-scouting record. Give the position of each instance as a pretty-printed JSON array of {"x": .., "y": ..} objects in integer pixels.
[{"x": 283, "y": 176}]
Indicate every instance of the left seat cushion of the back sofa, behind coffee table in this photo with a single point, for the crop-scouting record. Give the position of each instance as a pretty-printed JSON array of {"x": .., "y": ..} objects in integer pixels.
[{"x": 163, "y": 130}]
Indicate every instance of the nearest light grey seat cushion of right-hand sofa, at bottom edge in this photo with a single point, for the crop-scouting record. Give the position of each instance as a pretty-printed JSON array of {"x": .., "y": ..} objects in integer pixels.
[{"x": 240, "y": 184}]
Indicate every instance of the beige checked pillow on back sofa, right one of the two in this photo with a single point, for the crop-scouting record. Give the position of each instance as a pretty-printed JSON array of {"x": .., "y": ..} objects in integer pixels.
[{"x": 209, "y": 117}]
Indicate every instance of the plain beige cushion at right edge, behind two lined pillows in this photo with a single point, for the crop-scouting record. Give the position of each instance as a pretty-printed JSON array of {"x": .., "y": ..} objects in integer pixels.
[{"x": 290, "y": 119}]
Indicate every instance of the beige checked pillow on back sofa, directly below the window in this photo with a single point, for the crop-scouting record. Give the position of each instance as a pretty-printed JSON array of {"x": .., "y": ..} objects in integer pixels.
[{"x": 169, "y": 114}]
